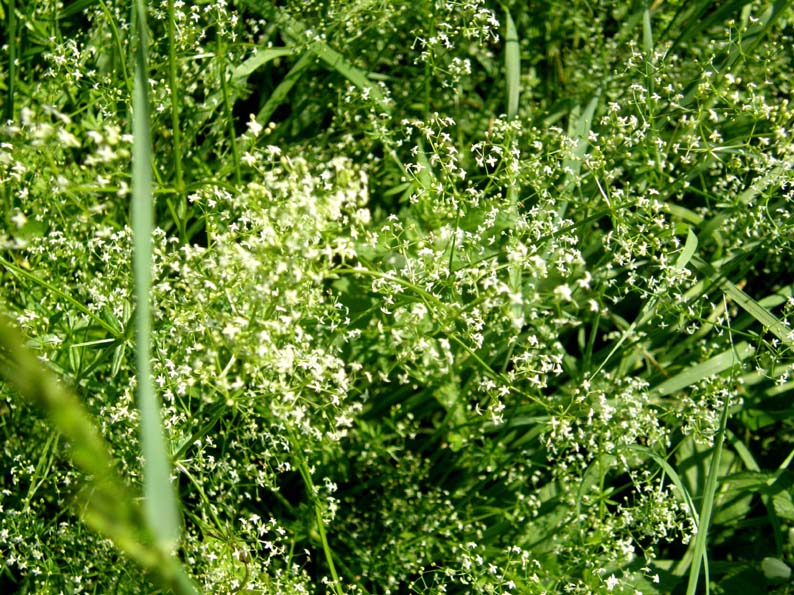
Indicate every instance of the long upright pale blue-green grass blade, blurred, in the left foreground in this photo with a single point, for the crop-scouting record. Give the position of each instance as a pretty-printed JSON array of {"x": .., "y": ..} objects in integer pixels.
[{"x": 160, "y": 506}]
